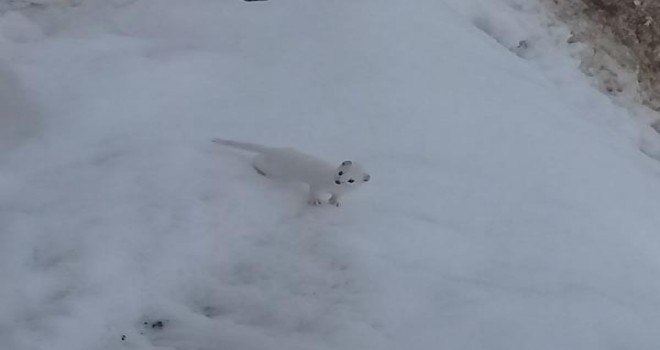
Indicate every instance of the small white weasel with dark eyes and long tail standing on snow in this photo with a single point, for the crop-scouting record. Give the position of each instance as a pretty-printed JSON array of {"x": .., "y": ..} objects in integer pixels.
[{"x": 288, "y": 164}]
